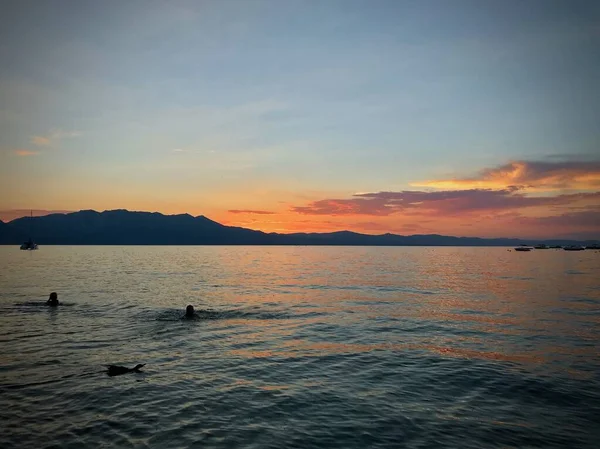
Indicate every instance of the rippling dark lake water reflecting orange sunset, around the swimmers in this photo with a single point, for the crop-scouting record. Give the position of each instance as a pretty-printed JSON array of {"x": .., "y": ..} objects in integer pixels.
[{"x": 302, "y": 347}]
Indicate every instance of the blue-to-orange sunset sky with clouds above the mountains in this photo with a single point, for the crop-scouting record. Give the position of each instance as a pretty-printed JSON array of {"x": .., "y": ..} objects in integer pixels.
[{"x": 468, "y": 118}]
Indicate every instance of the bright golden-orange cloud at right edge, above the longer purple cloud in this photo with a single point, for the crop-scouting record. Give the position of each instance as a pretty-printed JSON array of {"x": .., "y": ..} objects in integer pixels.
[{"x": 529, "y": 176}]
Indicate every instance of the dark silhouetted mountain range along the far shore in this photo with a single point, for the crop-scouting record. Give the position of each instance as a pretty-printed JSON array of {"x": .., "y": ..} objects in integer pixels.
[{"x": 122, "y": 227}]
